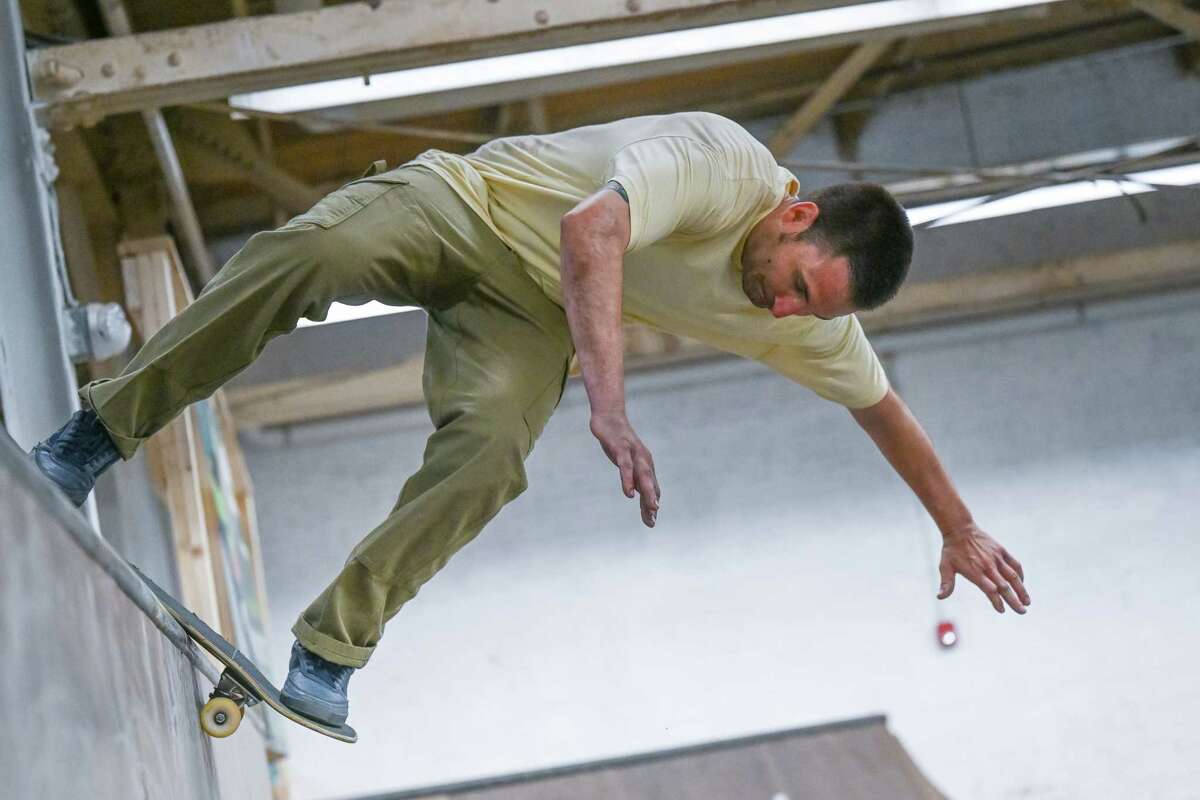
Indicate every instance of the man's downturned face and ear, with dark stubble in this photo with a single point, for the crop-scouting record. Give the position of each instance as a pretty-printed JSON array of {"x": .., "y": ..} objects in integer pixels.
[{"x": 794, "y": 279}]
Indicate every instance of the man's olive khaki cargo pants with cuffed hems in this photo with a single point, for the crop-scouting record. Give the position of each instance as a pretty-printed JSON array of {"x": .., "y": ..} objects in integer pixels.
[{"x": 496, "y": 362}]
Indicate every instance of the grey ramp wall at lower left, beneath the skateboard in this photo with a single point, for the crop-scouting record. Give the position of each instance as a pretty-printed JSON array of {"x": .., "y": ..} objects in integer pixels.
[{"x": 99, "y": 702}]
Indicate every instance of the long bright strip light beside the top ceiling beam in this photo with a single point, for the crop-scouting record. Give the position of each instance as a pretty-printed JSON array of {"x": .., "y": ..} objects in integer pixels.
[{"x": 638, "y": 50}]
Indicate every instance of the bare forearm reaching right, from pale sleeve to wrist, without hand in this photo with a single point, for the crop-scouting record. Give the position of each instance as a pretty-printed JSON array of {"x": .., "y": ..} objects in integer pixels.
[{"x": 907, "y": 447}]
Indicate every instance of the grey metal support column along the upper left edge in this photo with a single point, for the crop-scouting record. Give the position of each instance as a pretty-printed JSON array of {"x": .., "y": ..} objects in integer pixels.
[{"x": 38, "y": 382}]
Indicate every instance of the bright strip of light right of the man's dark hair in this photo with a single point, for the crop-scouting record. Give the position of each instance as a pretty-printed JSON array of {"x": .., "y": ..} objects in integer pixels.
[{"x": 975, "y": 208}]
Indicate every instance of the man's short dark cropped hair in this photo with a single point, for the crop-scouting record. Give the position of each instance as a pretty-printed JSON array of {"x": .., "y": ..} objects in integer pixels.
[{"x": 865, "y": 224}]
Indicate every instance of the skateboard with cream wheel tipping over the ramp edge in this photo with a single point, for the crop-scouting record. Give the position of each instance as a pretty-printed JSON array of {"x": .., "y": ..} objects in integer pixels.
[{"x": 242, "y": 684}]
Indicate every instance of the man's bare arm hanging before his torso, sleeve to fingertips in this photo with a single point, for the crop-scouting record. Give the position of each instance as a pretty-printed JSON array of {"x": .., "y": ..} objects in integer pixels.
[{"x": 595, "y": 237}]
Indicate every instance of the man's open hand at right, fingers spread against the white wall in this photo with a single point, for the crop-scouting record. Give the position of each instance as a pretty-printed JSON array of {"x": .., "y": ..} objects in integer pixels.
[{"x": 980, "y": 558}]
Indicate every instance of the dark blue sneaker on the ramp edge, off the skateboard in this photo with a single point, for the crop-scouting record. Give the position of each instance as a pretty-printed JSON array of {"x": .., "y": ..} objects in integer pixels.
[{"x": 76, "y": 455}]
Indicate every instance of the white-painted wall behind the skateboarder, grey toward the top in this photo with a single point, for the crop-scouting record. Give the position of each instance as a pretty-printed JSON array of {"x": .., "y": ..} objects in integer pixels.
[{"x": 791, "y": 578}]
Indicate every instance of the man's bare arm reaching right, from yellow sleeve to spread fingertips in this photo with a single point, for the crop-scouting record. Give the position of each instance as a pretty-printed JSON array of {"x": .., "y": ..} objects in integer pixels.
[{"x": 967, "y": 549}]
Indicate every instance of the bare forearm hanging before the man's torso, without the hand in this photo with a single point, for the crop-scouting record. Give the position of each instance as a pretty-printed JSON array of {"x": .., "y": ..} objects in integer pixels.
[{"x": 592, "y": 286}]
